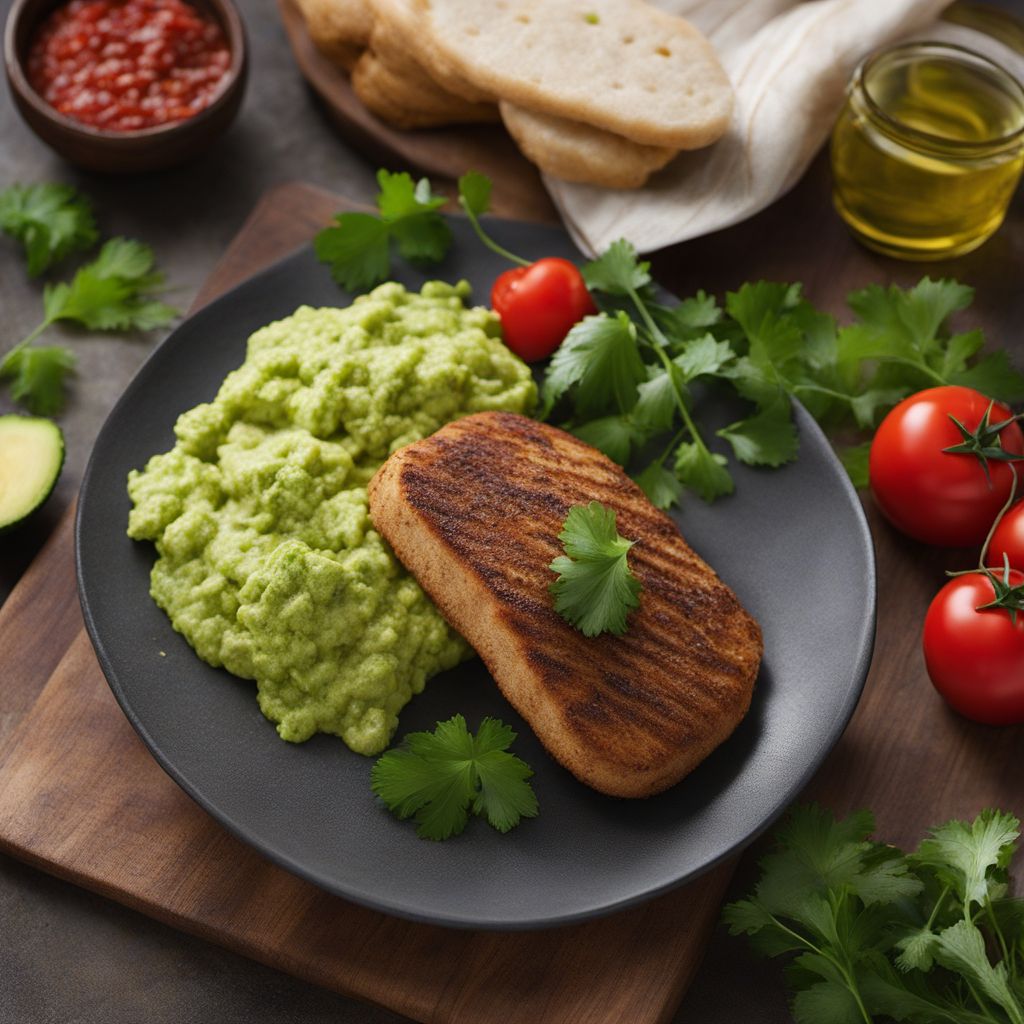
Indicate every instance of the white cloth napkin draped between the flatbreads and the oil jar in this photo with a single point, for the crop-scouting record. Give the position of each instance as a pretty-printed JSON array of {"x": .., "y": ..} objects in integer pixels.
[{"x": 790, "y": 64}]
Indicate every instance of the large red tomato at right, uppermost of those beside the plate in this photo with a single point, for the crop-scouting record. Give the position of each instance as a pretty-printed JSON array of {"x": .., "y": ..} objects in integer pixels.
[{"x": 932, "y": 495}]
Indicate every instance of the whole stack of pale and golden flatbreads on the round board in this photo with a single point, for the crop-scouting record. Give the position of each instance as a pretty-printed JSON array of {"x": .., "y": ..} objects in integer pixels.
[{"x": 604, "y": 93}]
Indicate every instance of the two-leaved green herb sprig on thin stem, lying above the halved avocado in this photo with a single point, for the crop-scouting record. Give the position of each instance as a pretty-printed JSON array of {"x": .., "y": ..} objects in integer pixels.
[{"x": 112, "y": 293}]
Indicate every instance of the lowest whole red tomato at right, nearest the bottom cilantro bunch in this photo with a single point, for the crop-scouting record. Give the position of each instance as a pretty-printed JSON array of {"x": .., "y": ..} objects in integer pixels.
[{"x": 976, "y": 659}]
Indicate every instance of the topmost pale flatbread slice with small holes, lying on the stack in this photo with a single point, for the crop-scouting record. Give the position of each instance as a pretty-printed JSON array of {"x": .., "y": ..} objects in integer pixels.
[{"x": 619, "y": 65}]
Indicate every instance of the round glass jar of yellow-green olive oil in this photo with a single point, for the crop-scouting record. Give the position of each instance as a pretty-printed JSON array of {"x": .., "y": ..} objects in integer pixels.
[{"x": 928, "y": 150}]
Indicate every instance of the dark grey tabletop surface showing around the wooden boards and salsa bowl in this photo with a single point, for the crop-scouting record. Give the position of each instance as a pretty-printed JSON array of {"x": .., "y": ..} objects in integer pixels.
[{"x": 68, "y": 956}]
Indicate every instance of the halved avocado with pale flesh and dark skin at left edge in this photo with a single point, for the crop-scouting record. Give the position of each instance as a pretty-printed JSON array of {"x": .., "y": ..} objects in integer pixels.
[{"x": 31, "y": 459}]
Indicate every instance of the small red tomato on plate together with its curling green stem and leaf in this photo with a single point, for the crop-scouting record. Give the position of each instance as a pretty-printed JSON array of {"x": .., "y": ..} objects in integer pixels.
[{"x": 538, "y": 303}]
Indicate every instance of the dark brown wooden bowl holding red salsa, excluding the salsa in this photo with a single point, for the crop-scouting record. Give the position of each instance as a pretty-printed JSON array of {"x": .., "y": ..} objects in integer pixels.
[{"x": 123, "y": 152}]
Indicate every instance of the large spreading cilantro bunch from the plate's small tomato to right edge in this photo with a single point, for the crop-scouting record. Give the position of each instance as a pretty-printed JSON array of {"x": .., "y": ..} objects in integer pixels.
[{"x": 624, "y": 380}]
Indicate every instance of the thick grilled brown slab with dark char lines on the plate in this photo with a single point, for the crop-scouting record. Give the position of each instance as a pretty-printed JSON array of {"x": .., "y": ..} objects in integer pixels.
[{"x": 475, "y": 513}]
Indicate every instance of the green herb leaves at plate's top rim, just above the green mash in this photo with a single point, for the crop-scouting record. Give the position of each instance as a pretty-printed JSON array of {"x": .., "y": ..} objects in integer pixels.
[{"x": 359, "y": 250}]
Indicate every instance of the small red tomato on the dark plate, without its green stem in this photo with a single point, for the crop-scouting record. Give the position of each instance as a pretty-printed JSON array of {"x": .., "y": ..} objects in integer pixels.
[{"x": 539, "y": 305}]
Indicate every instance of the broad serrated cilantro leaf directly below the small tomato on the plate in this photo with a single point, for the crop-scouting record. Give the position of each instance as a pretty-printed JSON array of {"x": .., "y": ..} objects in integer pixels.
[{"x": 601, "y": 357}]
